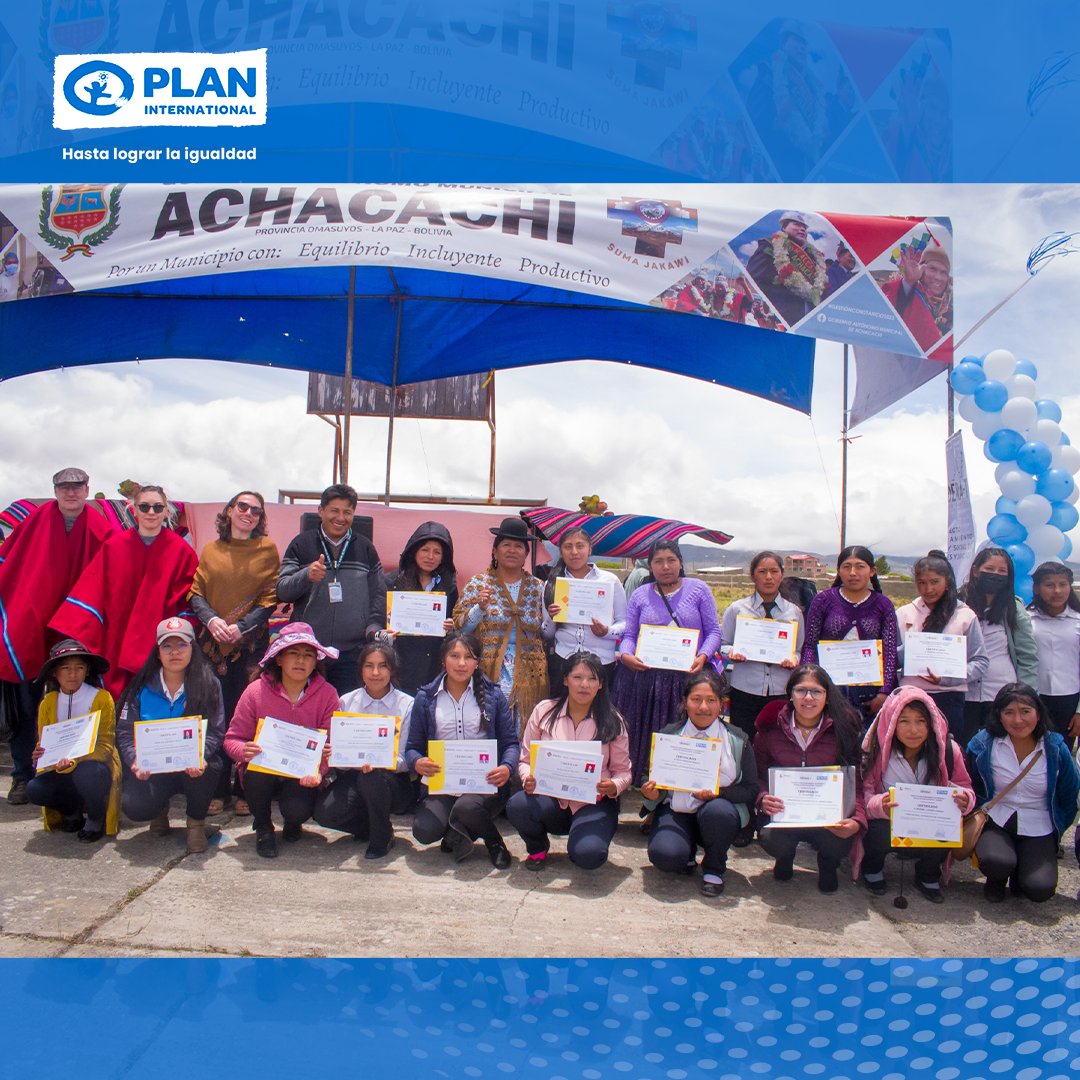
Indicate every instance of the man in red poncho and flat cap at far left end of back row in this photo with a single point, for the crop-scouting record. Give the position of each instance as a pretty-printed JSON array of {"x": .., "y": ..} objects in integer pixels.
[{"x": 39, "y": 564}]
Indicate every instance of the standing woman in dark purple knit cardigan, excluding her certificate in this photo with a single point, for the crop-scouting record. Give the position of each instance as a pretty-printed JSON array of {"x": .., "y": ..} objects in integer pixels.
[{"x": 856, "y": 609}]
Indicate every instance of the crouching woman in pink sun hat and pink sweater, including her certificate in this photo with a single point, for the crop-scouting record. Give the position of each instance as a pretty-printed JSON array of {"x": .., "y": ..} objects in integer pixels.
[{"x": 278, "y": 735}]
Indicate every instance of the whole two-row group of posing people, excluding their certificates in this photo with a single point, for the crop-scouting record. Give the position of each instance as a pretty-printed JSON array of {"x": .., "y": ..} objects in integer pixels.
[{"x": 148, "y": 631}]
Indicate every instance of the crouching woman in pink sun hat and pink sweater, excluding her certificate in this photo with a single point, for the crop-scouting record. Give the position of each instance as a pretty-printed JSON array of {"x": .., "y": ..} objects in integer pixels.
[{"x": 292, "y": 690}]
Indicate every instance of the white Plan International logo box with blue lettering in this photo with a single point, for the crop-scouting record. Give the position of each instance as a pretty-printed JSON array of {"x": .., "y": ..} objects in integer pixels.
[{"x": 160, "y": 90}]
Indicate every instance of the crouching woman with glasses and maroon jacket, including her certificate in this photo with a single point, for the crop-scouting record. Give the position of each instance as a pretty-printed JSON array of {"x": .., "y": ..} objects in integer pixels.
[{"x": 805, "y": 740}]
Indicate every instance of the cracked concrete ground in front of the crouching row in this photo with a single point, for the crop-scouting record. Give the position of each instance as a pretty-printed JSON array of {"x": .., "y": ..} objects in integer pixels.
[{"x": 143, "y": 896}]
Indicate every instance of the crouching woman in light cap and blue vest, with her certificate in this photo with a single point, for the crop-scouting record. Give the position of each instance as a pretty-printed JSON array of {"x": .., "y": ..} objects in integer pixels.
[{"x": 175, "y": 683}]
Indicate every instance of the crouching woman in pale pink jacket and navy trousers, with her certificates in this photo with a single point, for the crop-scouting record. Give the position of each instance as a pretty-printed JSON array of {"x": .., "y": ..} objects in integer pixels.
[{"x": 576, "y": 744}]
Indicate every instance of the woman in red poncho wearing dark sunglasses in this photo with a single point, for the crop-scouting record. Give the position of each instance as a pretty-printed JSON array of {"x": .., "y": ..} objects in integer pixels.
[{"x": 139, "y": 578}]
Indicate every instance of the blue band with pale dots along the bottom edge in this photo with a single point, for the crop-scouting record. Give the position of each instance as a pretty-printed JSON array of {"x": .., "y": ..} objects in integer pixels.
[{"x": 561, "y": 1020}]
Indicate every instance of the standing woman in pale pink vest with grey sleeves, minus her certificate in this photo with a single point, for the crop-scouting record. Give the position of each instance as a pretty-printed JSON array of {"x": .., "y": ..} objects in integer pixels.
[{"x": 940, "y": 611}]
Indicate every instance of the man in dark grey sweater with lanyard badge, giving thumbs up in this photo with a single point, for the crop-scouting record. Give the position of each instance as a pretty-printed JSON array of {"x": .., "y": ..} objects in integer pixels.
[{"x": 333, "y": 578}]
